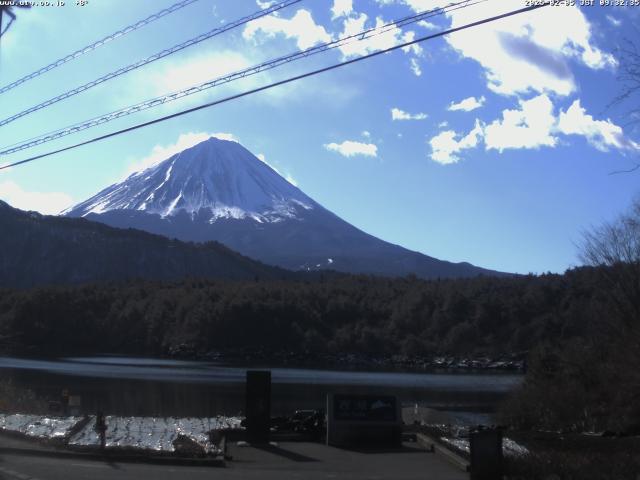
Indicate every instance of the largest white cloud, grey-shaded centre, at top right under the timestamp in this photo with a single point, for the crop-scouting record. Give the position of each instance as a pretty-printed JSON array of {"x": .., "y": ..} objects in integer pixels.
[{"x": 524, "y": 53}]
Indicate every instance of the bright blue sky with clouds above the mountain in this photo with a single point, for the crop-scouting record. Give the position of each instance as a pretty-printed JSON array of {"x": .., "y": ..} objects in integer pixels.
[{"x": 493, "y": 146}]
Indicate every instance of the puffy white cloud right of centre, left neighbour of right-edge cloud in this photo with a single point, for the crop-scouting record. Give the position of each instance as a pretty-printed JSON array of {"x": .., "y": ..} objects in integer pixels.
[{"x": 529, "y": 127}]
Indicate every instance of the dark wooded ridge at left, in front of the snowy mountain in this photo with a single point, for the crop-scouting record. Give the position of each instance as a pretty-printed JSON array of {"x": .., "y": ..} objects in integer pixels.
[{"x": 38, "y": 250}]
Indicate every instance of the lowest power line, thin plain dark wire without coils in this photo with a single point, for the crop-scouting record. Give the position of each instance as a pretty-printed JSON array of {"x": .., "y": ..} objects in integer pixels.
[{"x": 277, "y": 84}]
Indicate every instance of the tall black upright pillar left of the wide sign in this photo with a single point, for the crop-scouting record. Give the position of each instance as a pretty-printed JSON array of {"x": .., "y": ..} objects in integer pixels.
[{"x": 258, "y": 402}]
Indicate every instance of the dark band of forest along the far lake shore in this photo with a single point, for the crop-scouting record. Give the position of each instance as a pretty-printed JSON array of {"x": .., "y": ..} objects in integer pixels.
[{"x": 357, "y": 314}]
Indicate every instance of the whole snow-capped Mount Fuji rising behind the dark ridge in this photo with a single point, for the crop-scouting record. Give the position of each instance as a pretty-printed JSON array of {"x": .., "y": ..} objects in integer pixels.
[{"x": 218, "y": 190}]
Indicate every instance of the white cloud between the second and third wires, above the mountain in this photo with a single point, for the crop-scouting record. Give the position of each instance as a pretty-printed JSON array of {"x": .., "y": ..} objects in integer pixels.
[{"x": 301, "y": 27}]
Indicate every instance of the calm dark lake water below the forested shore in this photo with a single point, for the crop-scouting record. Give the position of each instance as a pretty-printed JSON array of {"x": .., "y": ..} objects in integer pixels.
[{"x": 155, "y": 387}]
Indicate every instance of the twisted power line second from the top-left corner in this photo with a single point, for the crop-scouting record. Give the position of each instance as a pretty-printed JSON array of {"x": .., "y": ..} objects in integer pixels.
[{"x": 152, "y": 58}]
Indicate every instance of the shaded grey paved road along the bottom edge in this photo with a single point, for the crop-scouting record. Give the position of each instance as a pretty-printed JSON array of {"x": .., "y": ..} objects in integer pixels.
[{"x": 286, "y": 461}]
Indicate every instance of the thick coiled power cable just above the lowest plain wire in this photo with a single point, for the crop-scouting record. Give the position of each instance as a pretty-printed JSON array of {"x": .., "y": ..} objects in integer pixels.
[{"x": 268, "y": 65}]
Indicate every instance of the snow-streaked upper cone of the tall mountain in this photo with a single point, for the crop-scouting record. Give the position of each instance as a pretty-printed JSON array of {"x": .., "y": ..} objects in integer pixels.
[{"x": 217, "y": 178}]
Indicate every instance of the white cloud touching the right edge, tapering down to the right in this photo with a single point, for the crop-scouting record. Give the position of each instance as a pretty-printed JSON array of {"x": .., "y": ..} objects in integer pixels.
[{"x": 602, "y": 134}]
